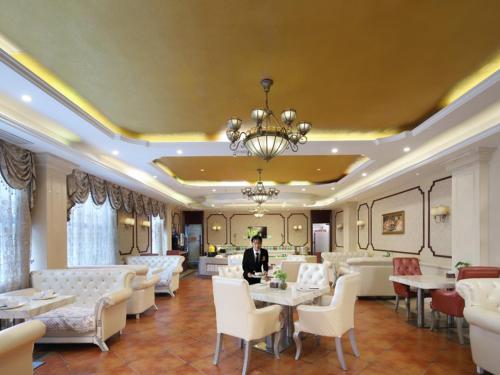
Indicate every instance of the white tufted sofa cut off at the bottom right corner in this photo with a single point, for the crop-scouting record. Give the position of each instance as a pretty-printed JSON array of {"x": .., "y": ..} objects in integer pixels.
[{"x": 482, "y": 311}]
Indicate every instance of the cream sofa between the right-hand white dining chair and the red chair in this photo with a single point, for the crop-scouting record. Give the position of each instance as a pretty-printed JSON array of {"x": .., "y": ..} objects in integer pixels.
[{"x": 374, "y": 273}]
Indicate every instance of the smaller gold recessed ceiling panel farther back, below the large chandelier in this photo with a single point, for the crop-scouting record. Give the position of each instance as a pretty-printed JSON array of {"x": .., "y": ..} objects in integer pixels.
[{"x": 284, "y": 169}]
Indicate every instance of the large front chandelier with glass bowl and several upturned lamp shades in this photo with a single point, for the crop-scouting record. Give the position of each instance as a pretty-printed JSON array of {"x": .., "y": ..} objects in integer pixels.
[{"x": 270, "y": 137}]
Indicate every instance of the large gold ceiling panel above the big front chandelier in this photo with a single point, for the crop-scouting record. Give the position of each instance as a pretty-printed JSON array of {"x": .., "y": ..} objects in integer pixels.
[{"x": 184, "y": 67}]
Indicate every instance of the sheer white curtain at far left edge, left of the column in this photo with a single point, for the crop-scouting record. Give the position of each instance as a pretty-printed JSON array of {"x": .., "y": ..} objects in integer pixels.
[{"x": 15, "y": 236}]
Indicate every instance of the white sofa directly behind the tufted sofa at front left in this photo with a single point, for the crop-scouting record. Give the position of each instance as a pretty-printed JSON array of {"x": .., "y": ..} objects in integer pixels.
[{"x": 143, "y": 286}]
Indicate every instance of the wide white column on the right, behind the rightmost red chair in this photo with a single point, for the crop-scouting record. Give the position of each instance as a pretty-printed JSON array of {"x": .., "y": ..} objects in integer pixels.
[{"x": 470, "y": 206}]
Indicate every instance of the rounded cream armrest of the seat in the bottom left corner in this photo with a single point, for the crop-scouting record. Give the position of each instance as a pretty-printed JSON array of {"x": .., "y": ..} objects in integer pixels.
[{"x": 17, "y": 336}]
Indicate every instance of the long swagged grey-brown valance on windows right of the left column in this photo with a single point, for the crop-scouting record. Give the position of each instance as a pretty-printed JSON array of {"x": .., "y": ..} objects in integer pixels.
[{"x": 80, "y": 185}]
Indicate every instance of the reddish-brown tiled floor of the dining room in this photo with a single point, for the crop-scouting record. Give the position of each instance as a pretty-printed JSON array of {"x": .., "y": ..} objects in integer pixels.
[{"x": 180, "y": 337}]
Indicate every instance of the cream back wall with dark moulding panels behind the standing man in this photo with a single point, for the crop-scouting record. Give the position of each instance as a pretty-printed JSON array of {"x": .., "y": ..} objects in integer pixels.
[{"x": 280, "y": 229}]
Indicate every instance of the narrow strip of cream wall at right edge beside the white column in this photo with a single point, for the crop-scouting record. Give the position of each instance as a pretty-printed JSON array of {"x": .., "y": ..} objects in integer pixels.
[{"x": 494, "y": 209}]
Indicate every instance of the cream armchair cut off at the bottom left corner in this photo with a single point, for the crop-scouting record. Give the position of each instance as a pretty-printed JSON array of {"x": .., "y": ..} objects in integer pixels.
[{"x": 16, "y": 347}]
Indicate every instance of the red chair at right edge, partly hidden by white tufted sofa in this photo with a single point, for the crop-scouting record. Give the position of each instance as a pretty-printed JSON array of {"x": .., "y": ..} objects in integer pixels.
[{"x": 450, "y": 303}]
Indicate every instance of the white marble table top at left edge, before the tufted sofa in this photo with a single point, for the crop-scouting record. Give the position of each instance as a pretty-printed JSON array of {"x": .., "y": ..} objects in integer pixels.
[{"x": 32, "y": 307}]
